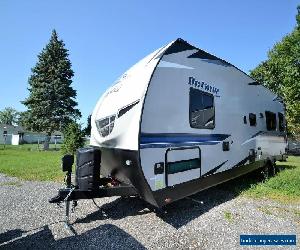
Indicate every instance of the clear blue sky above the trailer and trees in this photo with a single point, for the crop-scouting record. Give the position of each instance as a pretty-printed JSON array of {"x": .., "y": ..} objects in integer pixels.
[{"x": 105, "y": 38}]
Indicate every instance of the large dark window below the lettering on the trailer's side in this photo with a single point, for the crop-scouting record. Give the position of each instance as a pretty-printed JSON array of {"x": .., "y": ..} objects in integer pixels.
[{"x": 202, "y": 111}]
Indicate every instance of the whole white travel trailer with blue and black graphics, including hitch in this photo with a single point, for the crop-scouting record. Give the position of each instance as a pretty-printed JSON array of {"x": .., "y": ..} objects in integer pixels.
[{"x": 179, "y": 121}]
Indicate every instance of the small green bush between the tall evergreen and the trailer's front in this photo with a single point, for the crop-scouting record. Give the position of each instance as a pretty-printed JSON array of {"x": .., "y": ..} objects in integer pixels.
[{"x": 73, "y": 138}]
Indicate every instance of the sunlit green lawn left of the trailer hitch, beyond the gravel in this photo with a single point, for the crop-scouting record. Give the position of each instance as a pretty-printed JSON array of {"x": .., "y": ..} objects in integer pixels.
[{"x": 28, "y": 164}]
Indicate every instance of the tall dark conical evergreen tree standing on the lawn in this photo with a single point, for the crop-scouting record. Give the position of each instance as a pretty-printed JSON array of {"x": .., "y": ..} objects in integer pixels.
[{"x": 51, "y": 103}]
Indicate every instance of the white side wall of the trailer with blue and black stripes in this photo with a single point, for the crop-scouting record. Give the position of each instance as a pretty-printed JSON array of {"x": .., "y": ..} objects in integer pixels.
[{"x": 166, "y": 118}]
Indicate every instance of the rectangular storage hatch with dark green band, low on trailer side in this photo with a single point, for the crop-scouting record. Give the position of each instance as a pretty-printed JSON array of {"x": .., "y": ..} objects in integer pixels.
[{"x": 182, "y": 165}]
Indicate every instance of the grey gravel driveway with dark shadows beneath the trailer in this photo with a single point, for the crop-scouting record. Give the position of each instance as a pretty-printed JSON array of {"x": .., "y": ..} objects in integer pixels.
[{"x": 212, "y": 219}]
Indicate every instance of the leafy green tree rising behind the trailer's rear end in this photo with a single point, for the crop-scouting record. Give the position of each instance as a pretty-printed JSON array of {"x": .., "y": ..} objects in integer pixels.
[{"x": 281, "y": 74}]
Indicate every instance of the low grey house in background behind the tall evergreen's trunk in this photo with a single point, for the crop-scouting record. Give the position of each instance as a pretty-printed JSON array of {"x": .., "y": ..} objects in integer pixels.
[{"x": 15, "y": 135}]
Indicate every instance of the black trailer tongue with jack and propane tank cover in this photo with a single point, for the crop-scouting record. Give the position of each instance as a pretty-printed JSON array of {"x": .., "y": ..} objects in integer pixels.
[{"x": 88, "y": 182}]
